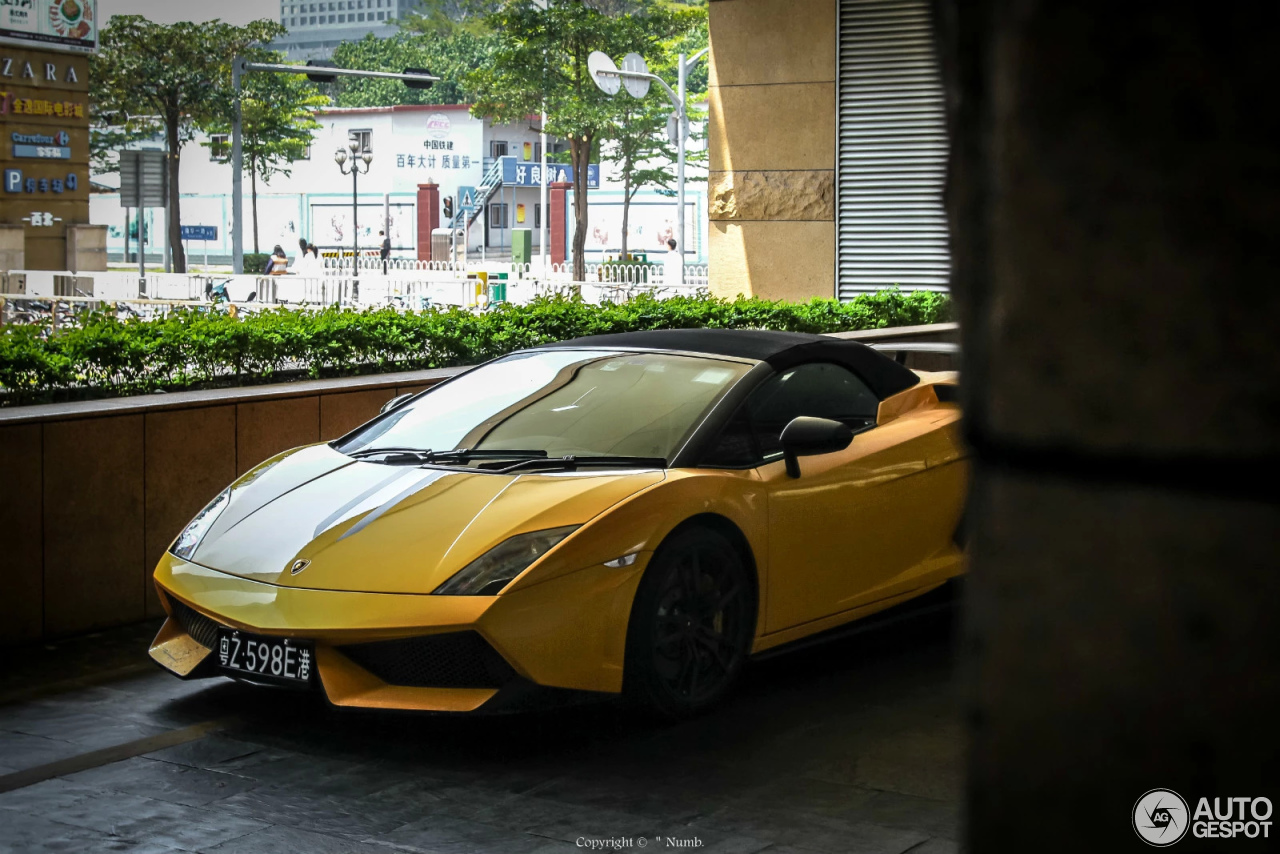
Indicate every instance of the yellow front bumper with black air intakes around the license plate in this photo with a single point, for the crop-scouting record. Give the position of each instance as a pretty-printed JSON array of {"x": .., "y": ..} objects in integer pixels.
[{"x": 414, "y": 652}]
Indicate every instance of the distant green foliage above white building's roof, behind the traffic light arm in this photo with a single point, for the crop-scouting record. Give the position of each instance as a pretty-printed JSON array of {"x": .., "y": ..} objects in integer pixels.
[{"x": 451, "y": 58}]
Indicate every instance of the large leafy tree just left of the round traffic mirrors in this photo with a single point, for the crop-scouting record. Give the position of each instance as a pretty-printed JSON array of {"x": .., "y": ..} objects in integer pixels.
[{"x": 541, "y": 63}]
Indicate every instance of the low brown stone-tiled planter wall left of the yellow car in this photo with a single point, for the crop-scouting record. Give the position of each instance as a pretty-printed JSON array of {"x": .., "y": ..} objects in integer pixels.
[{"x": 93, "y": 494}]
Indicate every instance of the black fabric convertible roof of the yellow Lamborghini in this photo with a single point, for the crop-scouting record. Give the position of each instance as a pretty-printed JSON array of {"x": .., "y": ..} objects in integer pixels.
[{"x": 781, "y": 350}]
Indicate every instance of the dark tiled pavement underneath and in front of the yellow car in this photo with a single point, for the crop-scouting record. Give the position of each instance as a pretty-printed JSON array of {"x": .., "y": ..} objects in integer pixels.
[{"x": 849, "y": 747}]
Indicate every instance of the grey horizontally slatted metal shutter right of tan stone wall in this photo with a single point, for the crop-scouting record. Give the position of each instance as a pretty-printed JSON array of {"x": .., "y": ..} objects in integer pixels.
[{"x": 892, "y": 165}]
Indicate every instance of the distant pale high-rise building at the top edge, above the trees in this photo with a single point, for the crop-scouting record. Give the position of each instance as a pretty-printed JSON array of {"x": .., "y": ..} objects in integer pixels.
[{"x": 317, "y": 29}]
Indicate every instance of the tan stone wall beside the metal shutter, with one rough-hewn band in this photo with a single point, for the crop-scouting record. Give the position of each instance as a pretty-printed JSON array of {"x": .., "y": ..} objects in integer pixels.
[{"x": 772, "y": 148}]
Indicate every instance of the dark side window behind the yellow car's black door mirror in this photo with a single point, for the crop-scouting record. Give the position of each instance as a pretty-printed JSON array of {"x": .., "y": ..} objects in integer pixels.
[{"x": 820, "y": 390}]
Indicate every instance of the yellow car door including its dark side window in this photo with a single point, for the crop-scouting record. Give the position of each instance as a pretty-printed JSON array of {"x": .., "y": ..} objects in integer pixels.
[{"x": 843, "y": 533}]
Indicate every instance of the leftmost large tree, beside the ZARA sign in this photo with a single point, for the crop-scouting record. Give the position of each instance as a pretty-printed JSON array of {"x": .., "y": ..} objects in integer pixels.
[{"x": 180, "y": 74}]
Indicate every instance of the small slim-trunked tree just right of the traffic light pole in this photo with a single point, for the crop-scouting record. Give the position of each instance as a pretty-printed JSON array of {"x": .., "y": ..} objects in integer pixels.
[{"x": 276, "y": 126}]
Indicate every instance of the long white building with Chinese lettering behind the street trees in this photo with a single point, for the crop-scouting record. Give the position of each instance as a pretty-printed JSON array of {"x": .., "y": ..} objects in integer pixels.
[{"x": 412, "y": 147}]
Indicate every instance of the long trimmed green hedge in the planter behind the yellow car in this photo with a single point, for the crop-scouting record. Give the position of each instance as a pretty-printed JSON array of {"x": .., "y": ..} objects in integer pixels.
[{"x": 104, "y": 357}]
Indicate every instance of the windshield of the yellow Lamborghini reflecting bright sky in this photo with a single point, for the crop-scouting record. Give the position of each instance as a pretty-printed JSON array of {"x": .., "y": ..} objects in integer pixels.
[{"x": 583, "y": 403}]
